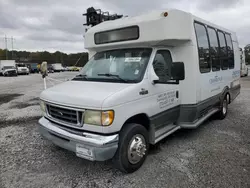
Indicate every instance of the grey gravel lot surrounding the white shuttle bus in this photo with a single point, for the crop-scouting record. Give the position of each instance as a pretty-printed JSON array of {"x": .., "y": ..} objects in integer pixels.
[{"x": 217, "y": 154}]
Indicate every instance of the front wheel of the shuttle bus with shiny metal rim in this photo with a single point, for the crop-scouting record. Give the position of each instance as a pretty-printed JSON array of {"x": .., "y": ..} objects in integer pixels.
[{"x": 132, "y": 148}]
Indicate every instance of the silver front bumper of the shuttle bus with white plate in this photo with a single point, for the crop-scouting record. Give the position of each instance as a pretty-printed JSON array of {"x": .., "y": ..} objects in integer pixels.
[{"x": 93, "y": 147}]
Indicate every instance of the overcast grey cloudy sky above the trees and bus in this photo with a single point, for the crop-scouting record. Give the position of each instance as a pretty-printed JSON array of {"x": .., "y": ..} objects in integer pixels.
[{"x": 57, "y": 25}]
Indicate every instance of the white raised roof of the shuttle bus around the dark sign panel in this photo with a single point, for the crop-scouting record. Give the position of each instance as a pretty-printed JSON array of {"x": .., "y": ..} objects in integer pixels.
[{"x": 154, "y": 28}]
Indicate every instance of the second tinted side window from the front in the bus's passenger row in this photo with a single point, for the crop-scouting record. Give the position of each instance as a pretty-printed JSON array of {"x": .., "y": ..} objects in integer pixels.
[{"x": 214, "y": 49}]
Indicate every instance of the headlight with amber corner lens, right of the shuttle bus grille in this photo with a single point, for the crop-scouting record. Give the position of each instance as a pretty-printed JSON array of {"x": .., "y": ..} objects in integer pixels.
[{"x": 104, "y": 118}]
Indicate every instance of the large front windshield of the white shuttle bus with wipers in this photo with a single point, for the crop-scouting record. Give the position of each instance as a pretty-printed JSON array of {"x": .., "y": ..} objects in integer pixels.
[{"x": 121, "y": 65}]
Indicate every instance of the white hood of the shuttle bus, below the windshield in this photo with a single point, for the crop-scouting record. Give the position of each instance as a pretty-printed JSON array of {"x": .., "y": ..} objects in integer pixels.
[{"x": 82, "y": 94}]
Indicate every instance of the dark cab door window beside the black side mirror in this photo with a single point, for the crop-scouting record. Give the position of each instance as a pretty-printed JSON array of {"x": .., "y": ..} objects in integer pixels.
[{"x": 162, "y": 65}]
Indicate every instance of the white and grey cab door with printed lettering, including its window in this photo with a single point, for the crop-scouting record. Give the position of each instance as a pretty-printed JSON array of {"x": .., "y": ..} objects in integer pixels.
[{"x": 165, "y": 96}]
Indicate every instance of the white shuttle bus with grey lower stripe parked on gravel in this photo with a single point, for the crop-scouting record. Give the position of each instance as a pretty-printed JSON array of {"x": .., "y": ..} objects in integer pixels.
[{"x": 147, "y": 77}]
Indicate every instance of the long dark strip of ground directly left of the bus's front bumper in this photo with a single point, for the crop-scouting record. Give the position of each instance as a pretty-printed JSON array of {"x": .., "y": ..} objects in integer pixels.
[{"x": 16, "y": 122}]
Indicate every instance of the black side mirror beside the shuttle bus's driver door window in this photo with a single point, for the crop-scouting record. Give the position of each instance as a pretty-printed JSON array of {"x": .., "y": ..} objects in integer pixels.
[{"x": 177, "y": 71}]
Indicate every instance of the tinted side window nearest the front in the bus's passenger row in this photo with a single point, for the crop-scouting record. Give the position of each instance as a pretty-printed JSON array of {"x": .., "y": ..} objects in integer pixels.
[{"x": 203, "y": 48}]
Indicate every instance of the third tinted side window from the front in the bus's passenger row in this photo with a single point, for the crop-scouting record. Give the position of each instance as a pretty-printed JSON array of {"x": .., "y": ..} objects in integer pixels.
[{"x": 223, "y": 51}]
